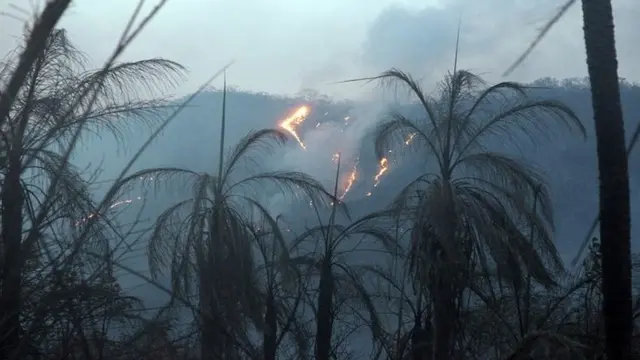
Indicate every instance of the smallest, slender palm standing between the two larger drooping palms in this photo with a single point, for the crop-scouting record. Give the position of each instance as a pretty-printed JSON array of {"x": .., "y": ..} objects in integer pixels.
[{"x": 331, "y": 242}]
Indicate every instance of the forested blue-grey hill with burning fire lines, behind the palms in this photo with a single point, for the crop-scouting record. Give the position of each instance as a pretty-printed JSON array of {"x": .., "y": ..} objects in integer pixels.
[{"x": 192, "y": 141}]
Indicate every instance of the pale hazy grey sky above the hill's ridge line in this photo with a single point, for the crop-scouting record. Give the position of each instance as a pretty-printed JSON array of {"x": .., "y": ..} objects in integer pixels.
[{"x": 283, "y": 46}]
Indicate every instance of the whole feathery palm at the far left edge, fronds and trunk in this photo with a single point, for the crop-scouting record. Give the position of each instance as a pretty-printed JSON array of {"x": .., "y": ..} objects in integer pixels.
[{"x": 59, "y": 96}]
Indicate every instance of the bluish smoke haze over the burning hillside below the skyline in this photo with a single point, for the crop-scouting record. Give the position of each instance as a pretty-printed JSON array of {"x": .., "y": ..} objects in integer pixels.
[{"x": 192, "y": 140}]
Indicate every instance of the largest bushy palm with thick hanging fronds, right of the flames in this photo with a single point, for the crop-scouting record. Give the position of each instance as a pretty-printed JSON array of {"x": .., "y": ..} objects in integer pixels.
[{"x": 475, "y": 209}]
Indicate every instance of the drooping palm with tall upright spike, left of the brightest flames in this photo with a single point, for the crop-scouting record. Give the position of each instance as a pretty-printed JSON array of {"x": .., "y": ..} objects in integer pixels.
[{"x": 209, "y": 234}]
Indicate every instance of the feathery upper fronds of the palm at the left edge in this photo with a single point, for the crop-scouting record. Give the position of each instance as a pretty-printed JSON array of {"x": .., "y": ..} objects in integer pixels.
[{"x": 56, "y": 103}]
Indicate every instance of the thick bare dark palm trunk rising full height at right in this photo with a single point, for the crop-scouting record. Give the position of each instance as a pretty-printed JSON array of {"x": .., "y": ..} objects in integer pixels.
[{"x": 614, "y": 177}]
